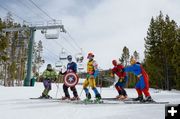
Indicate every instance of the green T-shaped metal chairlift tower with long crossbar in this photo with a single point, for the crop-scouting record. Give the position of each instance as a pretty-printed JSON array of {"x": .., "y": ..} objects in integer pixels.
[{"x": 32, "y": 30}]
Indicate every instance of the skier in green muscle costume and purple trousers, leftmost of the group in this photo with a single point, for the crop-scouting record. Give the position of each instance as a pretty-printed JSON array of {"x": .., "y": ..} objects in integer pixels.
[{"x": 49, "y": 75}]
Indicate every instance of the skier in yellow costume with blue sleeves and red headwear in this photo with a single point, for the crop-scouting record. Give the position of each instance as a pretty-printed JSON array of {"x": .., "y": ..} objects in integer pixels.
[{"x": 92, "y": 73}]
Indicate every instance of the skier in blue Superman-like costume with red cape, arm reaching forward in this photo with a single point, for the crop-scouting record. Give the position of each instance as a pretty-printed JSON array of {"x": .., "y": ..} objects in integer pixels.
[{"x": 142, "y": 86}]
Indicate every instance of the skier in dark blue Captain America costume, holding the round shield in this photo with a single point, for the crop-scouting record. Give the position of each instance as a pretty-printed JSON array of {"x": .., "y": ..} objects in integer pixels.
[{"x": 71, "y": 67}]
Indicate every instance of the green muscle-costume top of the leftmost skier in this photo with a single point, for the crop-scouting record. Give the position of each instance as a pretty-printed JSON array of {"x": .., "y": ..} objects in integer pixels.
[{"x": 52, "y": 75}]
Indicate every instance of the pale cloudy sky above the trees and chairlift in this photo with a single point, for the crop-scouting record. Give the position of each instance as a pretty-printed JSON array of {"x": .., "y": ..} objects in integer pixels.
[{"x": 101, "y": 26}]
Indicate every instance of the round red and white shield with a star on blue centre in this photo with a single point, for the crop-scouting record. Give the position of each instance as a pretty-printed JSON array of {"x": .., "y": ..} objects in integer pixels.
[{"x": 71, "y": 79}]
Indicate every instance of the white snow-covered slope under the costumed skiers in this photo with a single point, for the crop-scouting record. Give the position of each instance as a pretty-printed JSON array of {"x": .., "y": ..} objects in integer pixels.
[{"x": 15, "y": 104}]
